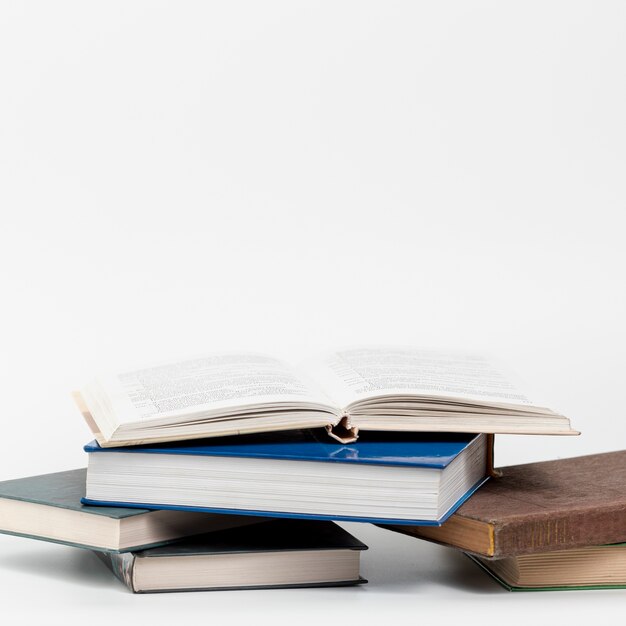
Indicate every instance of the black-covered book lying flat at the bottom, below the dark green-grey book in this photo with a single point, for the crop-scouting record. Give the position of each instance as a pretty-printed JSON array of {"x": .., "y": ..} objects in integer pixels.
[{"x": 274, "y": 554}]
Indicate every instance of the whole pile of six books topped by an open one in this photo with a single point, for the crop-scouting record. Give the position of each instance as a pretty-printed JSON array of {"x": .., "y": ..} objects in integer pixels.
[{"x": 231, "y": 471}]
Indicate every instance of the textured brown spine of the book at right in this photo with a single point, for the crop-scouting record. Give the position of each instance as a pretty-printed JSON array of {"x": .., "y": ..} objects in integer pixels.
[{"x": 573, "y": 529}]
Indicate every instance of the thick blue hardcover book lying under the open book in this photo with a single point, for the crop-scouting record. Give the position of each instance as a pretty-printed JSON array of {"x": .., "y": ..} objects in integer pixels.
[{"x": 381, "y": 478}]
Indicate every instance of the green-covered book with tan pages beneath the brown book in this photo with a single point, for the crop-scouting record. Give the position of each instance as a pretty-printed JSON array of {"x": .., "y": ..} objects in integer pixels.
[{"x": 593, "y": 567}]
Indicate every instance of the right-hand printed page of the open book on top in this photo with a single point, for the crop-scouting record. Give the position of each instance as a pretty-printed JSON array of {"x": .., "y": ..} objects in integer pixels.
[{"x": 355, "y": 375}]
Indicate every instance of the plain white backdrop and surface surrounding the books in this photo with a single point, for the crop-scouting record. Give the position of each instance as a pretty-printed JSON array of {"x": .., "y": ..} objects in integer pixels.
[{"x": 179, "y": 178}]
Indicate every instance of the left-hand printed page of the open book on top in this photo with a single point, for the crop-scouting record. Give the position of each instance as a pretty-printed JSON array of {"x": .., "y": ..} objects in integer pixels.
[{"x": 226, "y": 384}]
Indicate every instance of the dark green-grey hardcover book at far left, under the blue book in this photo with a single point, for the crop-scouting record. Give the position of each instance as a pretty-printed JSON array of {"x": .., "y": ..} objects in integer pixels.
[{"x": 49, "y": 507}]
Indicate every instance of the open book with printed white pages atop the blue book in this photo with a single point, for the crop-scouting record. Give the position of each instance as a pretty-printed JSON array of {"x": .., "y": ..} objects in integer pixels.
[{"x": 369, "y": 389}]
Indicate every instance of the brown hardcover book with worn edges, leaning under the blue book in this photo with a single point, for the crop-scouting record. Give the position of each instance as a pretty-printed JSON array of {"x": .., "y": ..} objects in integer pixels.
[{"x": 539, "y": 507}]
